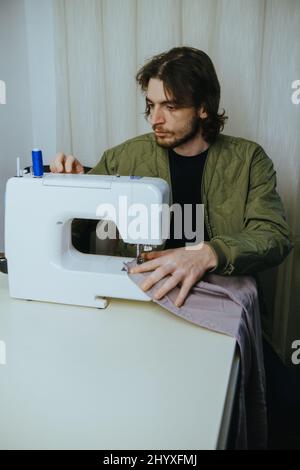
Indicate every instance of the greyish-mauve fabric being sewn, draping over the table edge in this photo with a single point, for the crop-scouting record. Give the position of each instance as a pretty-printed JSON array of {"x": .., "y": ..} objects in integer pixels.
[{"x": 229, "y": 305}]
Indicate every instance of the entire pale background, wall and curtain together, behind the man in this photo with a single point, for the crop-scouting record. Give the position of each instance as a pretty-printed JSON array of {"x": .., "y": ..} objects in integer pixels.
[{"x": 71, "y": 65}]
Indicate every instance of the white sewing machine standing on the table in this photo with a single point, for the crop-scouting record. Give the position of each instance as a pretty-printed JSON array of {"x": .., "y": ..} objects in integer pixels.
[{"x": 42, "y": 262}]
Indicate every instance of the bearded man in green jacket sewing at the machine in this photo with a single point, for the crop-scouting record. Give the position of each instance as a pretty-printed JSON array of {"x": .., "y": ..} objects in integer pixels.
[{"x": 245, "y": 227}]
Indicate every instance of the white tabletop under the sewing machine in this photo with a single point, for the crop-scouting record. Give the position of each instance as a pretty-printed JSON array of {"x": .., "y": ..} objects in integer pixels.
[{"x": 132, "y": 376}]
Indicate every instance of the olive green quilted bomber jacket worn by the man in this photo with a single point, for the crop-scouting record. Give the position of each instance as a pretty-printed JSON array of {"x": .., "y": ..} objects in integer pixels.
[{"x": 243, "y": 212}]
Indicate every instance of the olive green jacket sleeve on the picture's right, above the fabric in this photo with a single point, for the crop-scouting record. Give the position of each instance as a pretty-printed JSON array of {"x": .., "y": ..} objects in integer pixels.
[{"x": 265, "y": 239}]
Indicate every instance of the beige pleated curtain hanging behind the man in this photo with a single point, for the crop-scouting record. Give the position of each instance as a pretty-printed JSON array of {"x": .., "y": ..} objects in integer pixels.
[{"x": 255, "y": 46}]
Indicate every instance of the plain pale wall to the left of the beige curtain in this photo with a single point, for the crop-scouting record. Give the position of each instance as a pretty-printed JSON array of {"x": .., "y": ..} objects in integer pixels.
[{"x": 28, "y": 119}]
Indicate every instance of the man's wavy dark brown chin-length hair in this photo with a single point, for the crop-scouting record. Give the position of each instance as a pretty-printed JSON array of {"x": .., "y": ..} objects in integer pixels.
[{"x": 188, "y": 74}]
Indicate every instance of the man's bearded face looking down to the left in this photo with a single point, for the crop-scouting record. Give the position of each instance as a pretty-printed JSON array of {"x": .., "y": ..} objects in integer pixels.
[{"x": 172, "y": 125}]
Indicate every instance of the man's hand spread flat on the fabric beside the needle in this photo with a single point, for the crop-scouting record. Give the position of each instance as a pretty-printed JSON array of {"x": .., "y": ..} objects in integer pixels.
[{"x": 184, "y": 266}]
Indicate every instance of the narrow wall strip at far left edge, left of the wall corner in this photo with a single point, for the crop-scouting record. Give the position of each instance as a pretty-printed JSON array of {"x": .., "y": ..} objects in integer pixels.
[{"x": 15, "y": 115}]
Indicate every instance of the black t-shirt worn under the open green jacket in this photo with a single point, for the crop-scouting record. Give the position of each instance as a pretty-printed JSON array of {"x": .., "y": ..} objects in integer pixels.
[{"x": 186, "y": 179}]
